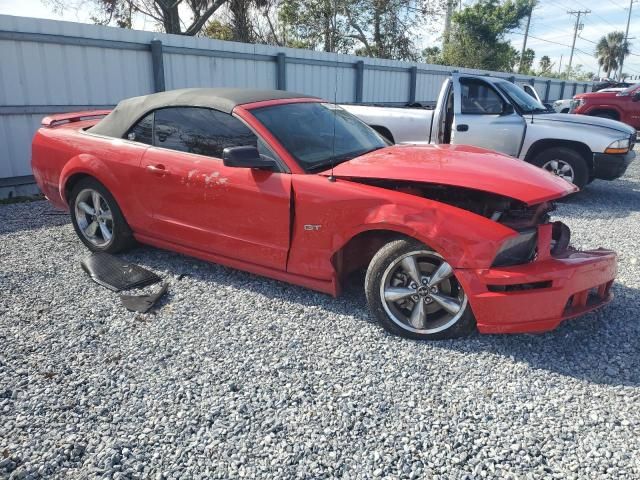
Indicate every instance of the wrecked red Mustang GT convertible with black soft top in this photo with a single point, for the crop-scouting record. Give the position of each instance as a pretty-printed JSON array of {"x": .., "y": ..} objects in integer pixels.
[{"x": 453, "y": 238}]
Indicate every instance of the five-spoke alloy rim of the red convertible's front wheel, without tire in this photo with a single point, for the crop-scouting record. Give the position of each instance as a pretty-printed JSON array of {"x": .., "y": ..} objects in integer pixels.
[{"x": 420, "y": 293}]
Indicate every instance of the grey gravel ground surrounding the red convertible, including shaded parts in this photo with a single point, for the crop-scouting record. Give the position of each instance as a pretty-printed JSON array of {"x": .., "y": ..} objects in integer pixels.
[{"x": 240, "y": 376}]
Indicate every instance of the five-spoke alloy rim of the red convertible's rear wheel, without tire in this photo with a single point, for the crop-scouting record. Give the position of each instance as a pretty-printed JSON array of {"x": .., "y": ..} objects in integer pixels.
[{"x": 94, "y": 217}]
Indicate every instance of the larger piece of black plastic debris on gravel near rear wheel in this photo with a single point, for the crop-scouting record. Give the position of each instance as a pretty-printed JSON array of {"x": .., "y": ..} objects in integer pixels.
[{"x": 116, "y": 274}]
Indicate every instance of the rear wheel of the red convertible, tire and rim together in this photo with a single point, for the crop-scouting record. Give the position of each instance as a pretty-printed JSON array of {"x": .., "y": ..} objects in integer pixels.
[{"x": 97, "y": 218}]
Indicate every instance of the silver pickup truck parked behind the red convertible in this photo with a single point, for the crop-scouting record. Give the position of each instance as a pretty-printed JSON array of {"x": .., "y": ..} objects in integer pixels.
[{"x": 496, "y": 114}]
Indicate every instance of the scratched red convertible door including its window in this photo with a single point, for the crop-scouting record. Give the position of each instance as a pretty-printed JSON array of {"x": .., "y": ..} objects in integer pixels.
[{"x": 200, "y": 203}]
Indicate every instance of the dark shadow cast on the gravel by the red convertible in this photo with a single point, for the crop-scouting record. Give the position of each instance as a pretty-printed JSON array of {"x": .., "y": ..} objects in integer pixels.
[{"x": 600, "y": 347}]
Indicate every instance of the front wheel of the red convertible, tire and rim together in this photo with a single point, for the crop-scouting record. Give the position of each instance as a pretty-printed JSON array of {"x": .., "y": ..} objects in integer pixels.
[{"x": 412, "y": 292}]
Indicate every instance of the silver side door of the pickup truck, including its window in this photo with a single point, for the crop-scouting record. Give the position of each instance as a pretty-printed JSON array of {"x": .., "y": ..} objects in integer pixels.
[{"x": 484, "y": 118}]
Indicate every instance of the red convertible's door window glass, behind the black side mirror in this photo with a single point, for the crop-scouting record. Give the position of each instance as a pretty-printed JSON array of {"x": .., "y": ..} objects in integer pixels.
[{"x": 200, "y": 130}]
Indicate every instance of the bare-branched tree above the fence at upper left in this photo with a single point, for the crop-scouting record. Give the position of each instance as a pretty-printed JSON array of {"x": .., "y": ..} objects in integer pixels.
[{"x": 182, "y": 17}]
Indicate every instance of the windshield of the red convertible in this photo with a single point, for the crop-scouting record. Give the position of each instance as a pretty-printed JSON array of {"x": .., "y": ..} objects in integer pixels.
[{"x": 319, "y": 135}]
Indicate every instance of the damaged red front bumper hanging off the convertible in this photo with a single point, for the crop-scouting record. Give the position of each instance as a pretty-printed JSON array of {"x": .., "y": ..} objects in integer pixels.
[{"x": 538, "y": 296}]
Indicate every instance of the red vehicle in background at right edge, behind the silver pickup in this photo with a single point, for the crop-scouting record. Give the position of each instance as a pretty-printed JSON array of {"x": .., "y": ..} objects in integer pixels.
[{"x": 623, "y": 106}]
